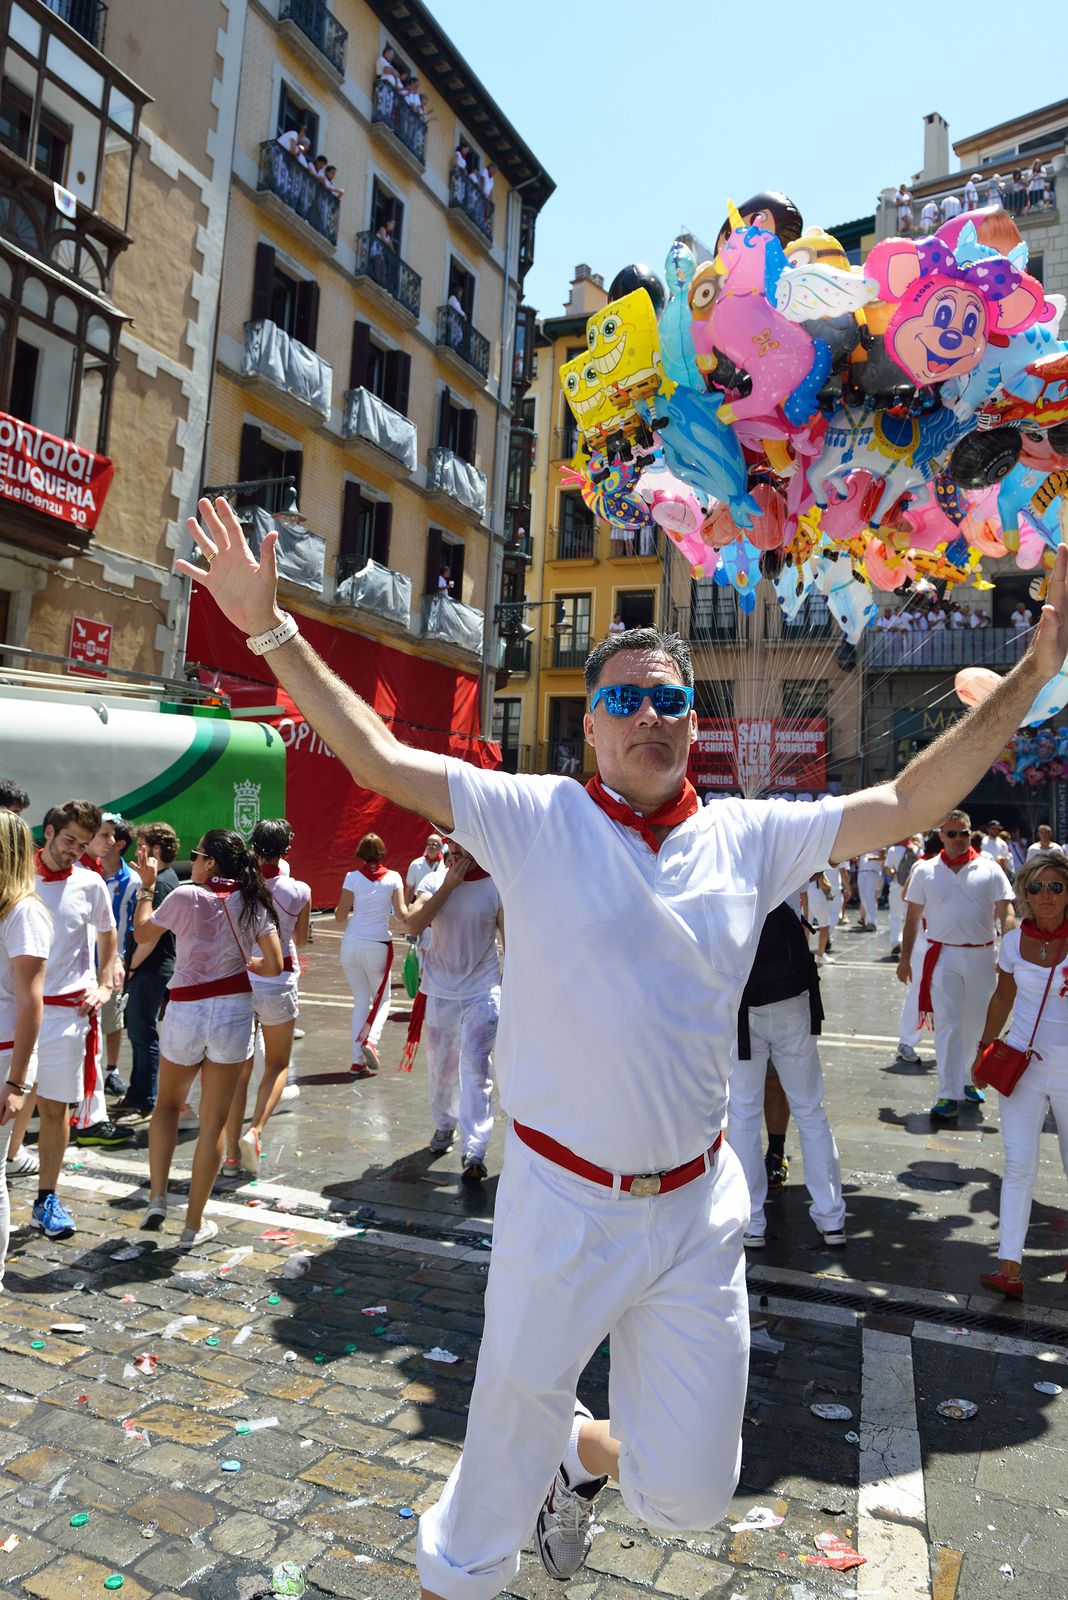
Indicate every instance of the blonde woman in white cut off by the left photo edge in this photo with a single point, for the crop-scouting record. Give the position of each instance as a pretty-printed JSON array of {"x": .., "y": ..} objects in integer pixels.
[{"x": 25, "y": 945}]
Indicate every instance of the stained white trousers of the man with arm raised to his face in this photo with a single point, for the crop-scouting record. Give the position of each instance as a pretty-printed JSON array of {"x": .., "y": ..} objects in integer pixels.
[{"x": 460, "y": 1038}]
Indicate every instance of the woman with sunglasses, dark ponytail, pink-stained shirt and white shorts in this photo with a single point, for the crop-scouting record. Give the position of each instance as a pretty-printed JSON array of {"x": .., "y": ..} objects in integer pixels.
[{"x": 217, "y": 919}]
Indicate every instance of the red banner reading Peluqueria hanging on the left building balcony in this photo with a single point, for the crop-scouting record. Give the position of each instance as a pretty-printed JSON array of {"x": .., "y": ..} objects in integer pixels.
[{"x": 52, "y": 476}]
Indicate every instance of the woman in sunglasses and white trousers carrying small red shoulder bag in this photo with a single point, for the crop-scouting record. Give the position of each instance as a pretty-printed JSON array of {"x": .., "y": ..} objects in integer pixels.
[{"x": 1027, "y": 956}]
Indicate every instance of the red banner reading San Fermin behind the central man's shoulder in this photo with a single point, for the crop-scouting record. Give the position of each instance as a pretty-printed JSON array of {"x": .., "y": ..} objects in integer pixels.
[{"x": 759, "y": 754}]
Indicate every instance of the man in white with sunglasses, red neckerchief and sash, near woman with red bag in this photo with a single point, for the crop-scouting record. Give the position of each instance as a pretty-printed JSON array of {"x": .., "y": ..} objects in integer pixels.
[{"x": 960, "y": 895}]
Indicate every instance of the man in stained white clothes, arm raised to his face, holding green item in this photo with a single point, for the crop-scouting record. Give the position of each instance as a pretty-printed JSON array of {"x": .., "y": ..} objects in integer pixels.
[{"x": 461, "y": 980}]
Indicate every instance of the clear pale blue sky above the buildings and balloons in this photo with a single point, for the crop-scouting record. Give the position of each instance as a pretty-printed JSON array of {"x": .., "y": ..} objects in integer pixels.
[{"x": 648, "y": 116}]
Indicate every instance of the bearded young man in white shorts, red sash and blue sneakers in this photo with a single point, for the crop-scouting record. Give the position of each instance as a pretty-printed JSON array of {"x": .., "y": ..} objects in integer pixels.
[{"x": 70, "y": 1046}]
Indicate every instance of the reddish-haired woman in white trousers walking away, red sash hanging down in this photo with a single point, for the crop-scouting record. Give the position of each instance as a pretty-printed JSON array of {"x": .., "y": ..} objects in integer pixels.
[{"x": 367, "y": 950}]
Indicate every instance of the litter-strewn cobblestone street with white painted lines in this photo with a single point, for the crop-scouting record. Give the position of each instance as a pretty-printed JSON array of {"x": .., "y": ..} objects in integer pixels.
[{"x": 309, "y": 1417}]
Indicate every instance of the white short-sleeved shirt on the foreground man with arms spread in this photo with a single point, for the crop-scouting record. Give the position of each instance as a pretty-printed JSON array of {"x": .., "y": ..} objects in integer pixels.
[{"x": 626, "y": 967}]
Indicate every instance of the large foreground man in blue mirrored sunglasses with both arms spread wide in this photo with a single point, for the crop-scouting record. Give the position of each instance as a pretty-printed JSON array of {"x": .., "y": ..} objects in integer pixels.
[{"x": 634, "y": 914}]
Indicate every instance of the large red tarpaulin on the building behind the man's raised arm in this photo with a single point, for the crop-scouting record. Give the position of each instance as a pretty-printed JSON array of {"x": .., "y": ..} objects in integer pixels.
[{"x": 428, "y": 705}]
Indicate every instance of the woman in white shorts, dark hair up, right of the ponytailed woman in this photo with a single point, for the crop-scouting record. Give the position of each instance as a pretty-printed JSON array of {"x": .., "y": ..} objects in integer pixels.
[{"x": 274, "y": 999}]
